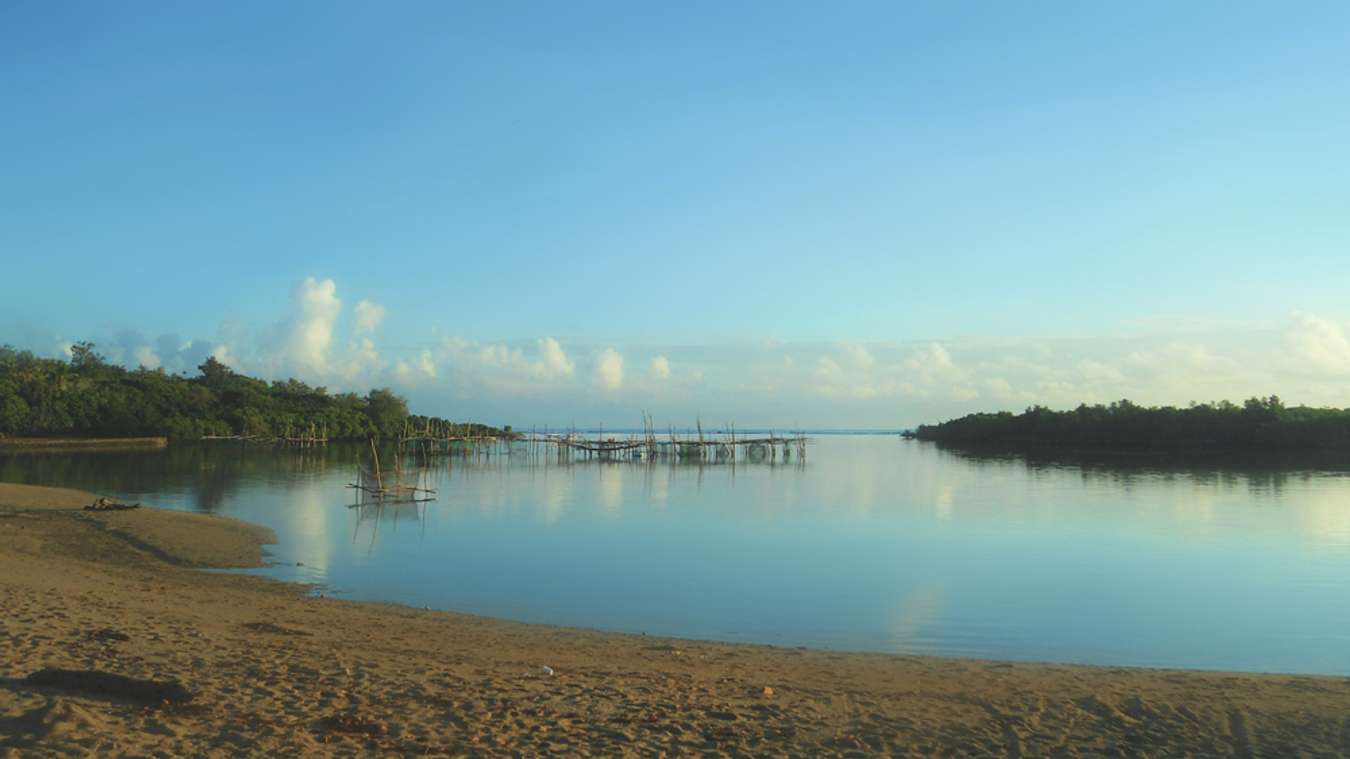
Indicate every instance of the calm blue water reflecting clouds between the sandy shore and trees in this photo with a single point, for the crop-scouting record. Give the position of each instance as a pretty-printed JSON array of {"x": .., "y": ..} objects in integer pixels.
[{"x": 874, "y": 544}]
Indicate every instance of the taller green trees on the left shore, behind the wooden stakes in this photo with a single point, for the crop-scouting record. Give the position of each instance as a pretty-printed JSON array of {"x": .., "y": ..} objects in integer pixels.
[{"x": 88, "y": 396}]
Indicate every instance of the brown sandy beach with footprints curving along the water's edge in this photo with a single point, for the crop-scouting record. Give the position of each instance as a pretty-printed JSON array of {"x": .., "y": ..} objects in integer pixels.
[{"x": 275, "y": 672}]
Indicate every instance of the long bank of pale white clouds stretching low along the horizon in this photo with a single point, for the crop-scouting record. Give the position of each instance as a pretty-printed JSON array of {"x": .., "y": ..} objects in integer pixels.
[{"x": 1305, "y": 360}]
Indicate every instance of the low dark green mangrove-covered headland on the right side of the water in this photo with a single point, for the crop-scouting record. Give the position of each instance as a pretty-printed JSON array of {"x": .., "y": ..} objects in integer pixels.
[{"x": 1258, "y": 425}]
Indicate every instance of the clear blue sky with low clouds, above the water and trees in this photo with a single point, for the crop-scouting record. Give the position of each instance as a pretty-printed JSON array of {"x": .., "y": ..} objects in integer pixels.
[{"x": 754, "y": 192}]
